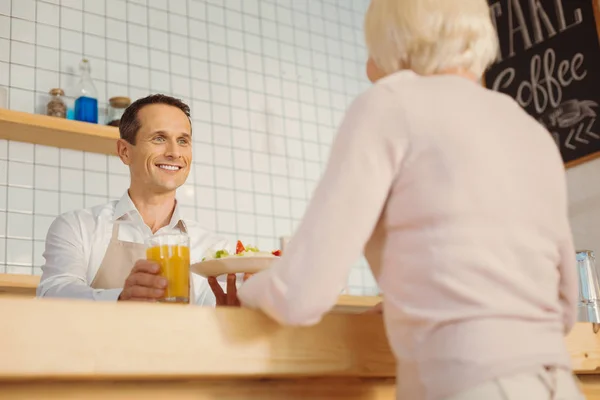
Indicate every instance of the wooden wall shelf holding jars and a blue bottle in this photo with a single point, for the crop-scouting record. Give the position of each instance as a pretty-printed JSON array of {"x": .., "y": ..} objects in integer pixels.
[{"x": 57, "y": 132}]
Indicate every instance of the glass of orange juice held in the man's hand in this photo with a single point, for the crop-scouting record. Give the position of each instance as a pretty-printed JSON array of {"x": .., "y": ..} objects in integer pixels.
[{"x": 172, "y": 252}]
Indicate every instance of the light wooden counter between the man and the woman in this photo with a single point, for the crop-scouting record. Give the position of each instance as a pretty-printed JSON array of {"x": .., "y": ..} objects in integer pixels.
[{"x": 76, "y": 349}]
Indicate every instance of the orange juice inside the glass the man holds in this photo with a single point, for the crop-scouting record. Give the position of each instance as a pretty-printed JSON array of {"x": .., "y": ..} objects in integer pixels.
[{"x": 174, "y": 261}]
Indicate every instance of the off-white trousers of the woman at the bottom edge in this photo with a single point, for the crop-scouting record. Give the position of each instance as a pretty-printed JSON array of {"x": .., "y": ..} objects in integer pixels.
[{"x": 545, "y": 383}]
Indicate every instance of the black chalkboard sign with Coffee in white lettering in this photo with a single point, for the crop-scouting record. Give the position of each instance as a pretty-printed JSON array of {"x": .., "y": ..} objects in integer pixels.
[{"x": 549, "y": 62}]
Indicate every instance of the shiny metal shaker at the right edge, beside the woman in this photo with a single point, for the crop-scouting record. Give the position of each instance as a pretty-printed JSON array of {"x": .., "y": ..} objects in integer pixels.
[{"x": 589, "y": 287}]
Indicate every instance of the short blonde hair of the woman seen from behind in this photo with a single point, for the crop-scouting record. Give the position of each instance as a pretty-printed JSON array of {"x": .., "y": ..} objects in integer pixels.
[{"x": 430, "y": 36}]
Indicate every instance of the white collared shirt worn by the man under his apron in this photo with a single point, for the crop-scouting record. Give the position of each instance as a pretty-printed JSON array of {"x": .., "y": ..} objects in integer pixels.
[{"x": 77, "y": 242}]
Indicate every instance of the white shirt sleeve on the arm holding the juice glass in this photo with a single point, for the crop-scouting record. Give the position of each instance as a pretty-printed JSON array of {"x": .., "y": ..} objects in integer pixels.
[{"x": 64, "y": 273}]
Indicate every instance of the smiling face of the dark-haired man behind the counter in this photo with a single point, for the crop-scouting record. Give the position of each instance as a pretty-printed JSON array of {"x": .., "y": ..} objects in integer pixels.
[{"x": 161, "y": 158}]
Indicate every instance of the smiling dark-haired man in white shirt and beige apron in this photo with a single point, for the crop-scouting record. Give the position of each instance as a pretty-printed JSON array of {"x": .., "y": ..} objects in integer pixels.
[{"x": 98, "y": 253}]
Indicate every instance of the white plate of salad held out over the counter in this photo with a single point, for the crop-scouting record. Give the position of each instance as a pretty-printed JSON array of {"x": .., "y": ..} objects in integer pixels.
[{"x": 245, "y": 260}]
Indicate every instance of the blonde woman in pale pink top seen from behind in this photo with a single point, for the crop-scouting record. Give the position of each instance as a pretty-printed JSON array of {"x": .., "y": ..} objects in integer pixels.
[{"x": 458, "y": 199}]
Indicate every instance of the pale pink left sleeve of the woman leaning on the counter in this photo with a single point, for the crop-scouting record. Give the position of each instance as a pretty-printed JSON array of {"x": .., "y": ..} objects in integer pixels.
[{"x": 365, "y": 158}]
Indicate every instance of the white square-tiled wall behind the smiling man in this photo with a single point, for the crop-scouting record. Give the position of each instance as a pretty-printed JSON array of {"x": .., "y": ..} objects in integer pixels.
[{"x": 267, "y": 81}]
